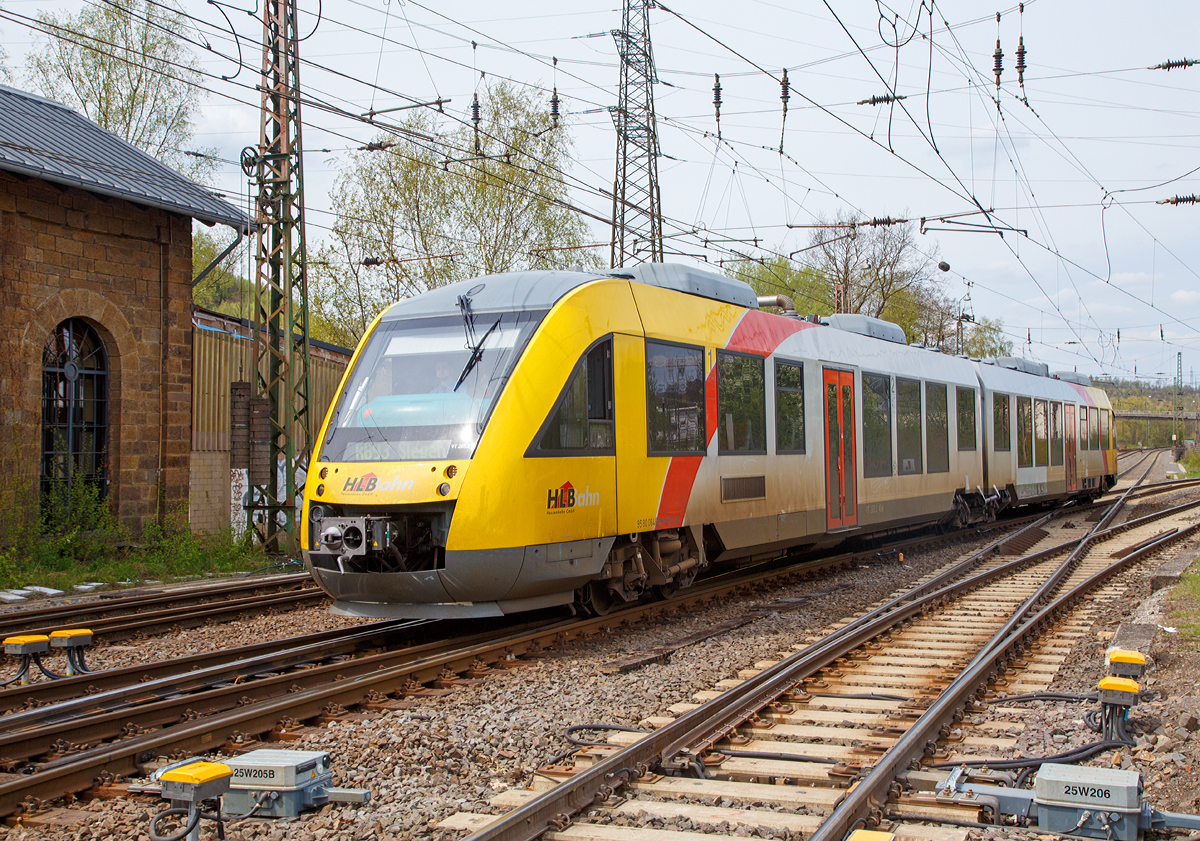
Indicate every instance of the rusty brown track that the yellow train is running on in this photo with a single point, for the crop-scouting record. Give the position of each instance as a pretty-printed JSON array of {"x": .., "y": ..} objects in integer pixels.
[{"x": 65, "y": 746}]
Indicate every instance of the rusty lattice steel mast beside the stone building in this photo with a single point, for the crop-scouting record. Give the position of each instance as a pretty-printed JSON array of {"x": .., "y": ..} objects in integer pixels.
[{"x": 281, "y": 345}]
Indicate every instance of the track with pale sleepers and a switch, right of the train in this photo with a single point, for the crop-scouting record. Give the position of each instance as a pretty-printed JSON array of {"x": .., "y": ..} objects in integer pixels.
[{"x": 857, "y": 706}]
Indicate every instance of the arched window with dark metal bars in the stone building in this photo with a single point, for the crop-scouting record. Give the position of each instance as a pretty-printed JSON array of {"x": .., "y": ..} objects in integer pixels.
[{"x": 75, "y": 409}]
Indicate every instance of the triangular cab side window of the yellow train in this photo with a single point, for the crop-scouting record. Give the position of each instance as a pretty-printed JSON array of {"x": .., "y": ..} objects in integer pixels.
[{"x": 583, "y": 420}]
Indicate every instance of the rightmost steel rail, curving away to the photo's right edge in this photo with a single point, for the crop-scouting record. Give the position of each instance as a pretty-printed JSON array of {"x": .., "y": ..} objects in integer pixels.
[{"x": 873, "y": 791}]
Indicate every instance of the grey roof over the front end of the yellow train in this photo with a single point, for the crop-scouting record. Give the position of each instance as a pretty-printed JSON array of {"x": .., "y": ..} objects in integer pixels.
[{"x": 538, "y": 291}]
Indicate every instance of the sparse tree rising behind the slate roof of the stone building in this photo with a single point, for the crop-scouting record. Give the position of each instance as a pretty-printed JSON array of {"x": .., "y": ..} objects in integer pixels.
[{"x": 122, "y": 65}]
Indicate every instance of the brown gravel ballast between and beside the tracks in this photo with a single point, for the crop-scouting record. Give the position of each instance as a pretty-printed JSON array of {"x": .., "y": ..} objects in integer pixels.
[{"x": 442, "y": 755}]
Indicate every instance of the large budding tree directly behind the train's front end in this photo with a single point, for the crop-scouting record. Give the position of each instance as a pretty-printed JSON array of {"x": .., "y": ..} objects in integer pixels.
[{"x": 422, "y": 208}]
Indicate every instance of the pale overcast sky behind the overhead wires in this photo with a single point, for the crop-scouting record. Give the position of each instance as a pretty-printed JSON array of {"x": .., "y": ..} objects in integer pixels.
[{"x": 1078, "y": 167}]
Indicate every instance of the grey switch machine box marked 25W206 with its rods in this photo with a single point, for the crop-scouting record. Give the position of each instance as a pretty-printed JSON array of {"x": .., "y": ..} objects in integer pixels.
[{"x": 1076, "y": 801}]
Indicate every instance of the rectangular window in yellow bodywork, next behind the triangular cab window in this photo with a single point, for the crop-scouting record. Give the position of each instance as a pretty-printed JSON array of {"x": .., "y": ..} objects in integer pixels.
[{"x": 675, "y": 399}]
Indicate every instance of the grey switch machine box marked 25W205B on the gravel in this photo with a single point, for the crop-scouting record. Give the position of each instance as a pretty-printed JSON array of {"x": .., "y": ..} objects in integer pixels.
[{"x": 281, "y": 784}]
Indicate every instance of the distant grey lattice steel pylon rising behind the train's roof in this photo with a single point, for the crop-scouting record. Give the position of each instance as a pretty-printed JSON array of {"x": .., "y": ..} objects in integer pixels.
[{"x": 637, "y": 205}]
